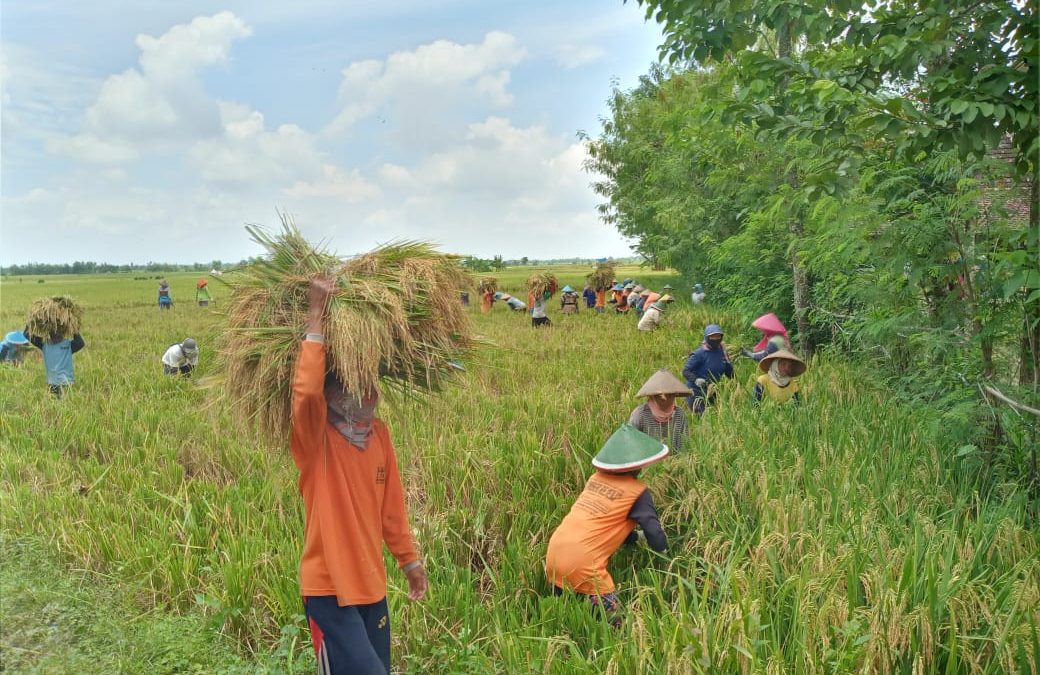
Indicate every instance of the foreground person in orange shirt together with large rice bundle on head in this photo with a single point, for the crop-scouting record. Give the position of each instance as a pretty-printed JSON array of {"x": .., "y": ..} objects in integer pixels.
[{"x": 343, "y": 330}]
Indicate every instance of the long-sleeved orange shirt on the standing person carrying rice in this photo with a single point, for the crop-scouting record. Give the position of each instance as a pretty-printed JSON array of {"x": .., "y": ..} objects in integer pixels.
[{"x": 353, "y": 500}]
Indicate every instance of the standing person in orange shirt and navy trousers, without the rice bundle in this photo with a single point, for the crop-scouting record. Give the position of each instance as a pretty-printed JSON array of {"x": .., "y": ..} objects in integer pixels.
[{"x": 354, "y": 502}]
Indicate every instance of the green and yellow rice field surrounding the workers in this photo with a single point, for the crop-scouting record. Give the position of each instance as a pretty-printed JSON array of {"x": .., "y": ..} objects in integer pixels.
[{"x": 844, "y": 536}]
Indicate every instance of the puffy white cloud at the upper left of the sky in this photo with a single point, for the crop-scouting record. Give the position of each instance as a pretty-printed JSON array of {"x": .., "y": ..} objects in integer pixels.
[{"x": 163, "y": 101}]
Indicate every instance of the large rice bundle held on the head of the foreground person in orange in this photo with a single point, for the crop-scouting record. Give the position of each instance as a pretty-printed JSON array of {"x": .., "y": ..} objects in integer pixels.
[{"x": 395, "y": 319}]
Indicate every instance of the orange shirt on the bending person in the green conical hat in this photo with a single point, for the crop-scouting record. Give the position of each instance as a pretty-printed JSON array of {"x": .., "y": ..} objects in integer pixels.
[{"x": 597, "y": 525}]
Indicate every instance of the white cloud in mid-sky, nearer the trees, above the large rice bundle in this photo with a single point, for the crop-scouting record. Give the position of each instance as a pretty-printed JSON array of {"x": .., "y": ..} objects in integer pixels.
[{"x": 408, "y": 84}]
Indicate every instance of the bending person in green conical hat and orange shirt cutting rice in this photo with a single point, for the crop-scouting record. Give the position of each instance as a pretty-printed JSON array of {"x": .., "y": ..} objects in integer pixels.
[{"x": 605, "y": 516}]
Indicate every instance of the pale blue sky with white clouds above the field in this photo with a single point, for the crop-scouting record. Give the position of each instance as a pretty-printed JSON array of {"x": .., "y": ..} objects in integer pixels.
[{"x": 155, "y": 131}]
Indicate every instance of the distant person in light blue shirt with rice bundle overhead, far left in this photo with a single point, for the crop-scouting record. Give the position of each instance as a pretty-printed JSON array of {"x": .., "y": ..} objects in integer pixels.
[{"x": 54, "y": 328}]
